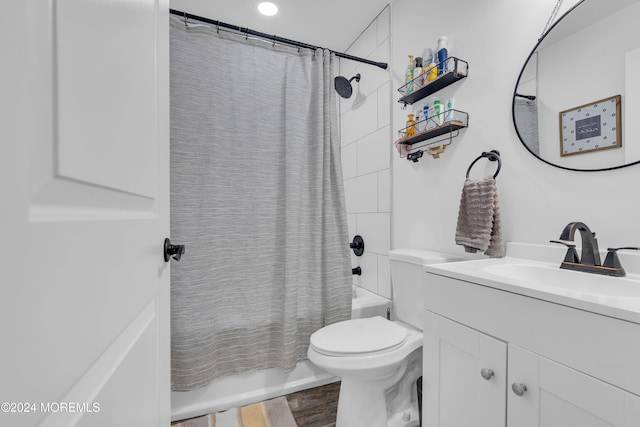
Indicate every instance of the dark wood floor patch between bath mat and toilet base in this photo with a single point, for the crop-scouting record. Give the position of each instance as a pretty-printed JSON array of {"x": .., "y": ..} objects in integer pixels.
[{"x": 316, "y": 407}]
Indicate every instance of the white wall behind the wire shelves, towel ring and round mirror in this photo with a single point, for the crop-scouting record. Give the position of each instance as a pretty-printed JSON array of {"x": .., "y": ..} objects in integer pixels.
[{"x": 537, "y": 200}]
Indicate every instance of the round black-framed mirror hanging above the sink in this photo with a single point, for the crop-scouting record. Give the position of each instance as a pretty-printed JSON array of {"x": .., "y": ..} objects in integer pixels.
[{"x": 577, "y": 86}]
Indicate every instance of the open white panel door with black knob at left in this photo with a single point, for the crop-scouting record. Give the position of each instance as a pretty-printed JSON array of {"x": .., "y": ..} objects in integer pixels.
[{"x": 84, "y": 297}]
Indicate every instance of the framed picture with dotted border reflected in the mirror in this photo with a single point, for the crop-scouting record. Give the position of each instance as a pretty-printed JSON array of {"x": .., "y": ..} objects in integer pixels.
[{"x": 591, "y": 127}]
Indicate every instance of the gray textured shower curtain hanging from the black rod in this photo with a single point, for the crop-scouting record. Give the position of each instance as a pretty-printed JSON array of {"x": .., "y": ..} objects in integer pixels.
[{"x": 258, "y": 200}]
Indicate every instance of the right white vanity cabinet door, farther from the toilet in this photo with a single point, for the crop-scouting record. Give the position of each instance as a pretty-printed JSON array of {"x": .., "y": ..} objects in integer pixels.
[{"x": 558, "y": 396}]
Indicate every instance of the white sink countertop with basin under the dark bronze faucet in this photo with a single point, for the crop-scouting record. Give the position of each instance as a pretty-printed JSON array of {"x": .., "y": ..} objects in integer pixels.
[{"x": 540, "y": 277}]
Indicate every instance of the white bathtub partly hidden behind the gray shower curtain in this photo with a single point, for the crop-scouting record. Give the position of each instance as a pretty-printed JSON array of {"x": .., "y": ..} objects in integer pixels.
[{"x": 243, "y": 389}]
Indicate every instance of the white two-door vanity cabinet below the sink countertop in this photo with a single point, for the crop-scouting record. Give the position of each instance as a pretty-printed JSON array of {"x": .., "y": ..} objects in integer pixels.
[{"x": 578, "y": 368}]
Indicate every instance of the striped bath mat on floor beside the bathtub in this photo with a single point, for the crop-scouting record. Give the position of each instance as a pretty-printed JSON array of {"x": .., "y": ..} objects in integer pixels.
[{"x": 270, "y": 413}]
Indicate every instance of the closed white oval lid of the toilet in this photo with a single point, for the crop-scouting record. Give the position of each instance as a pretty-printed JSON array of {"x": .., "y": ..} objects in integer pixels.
[{"x": 358, "y": 336}]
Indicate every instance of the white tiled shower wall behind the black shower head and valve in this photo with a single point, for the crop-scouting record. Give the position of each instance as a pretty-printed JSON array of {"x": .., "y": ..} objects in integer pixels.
[{"x": 365, "y": 125}]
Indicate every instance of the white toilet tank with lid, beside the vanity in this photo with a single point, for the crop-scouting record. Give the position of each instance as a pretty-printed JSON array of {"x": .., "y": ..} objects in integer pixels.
[{"x": 407, "y": 275}]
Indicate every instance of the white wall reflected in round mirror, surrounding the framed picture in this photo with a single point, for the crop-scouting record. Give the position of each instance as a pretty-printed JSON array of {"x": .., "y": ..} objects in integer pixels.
[{"x": 562, "y": 85}]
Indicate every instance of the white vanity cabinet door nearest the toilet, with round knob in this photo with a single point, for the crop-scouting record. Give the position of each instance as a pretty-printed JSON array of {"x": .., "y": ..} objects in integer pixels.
[{"x": 454, "y": 391}]
